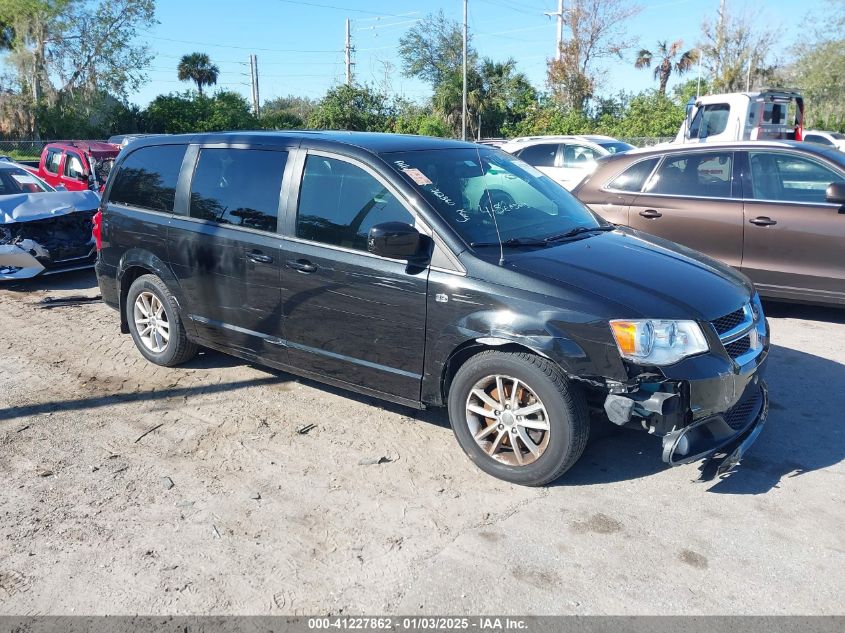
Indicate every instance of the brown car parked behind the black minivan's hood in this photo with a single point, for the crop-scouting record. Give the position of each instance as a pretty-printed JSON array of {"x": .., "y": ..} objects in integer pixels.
[{"x": 774, "y": 210}]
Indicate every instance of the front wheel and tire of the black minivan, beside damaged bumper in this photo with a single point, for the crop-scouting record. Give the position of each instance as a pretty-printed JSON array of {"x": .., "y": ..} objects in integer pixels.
[{"x": 518, "y": 417}]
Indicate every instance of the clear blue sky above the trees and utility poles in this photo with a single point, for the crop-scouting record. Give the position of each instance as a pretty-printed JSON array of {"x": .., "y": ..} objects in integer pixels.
[{"x": 300, "y": 45}]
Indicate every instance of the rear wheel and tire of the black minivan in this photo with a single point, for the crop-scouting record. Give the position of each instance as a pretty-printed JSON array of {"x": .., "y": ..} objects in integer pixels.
[{"x": 155, "y": 323}]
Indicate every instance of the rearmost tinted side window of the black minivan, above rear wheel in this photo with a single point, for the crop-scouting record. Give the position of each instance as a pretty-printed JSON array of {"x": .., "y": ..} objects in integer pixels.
[{"x": 147, "y": 178}]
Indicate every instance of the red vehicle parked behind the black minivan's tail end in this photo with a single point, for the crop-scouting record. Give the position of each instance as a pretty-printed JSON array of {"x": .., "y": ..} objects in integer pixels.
[{"x": 77, "y": 165}]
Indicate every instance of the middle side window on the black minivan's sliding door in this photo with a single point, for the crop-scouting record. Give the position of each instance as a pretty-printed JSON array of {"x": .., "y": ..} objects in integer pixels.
[{"x": 240, "y": 187}]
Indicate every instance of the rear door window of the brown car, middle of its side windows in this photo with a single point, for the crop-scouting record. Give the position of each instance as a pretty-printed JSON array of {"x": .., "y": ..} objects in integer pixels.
[{"x": 699, "y": 174}]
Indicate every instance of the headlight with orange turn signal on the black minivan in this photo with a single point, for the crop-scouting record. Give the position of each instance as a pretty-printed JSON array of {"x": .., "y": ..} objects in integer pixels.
[{"x": 654, "y": 342}]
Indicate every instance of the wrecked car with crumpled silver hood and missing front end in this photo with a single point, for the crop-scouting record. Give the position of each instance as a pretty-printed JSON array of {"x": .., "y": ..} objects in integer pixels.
[{"x": 43, "y": 230}]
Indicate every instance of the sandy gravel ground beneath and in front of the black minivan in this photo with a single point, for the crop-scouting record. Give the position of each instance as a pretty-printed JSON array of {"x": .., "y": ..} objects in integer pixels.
[{"x": 224, "y": 508}]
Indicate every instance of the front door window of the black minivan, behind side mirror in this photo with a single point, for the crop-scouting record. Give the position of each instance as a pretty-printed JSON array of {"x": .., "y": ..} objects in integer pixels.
[{"x": 339, "y": 203}]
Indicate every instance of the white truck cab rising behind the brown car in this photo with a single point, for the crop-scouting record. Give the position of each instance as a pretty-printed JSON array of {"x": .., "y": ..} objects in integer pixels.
[{"x": 744, "y": 116}]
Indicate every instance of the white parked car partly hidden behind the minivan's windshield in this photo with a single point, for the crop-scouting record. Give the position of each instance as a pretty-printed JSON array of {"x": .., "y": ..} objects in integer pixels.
[{"x": 566, "y": 159}]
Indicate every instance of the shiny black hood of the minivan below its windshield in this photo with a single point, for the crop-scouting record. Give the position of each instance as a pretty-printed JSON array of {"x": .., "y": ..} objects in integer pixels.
[{"x": 653, "y": 277}]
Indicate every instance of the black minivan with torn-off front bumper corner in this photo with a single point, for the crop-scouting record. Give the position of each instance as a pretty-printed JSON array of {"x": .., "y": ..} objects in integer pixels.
[{"x": 432, "y": 272}]
